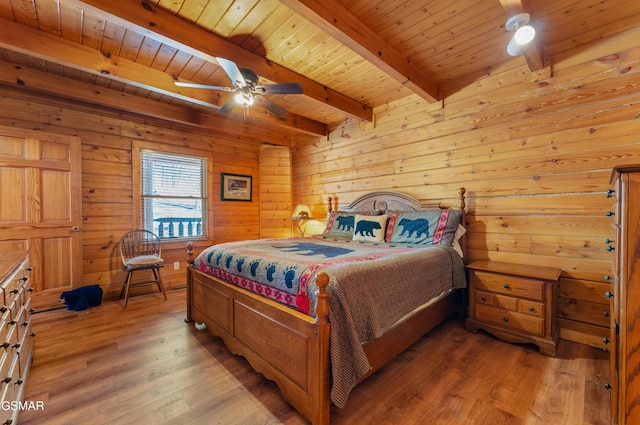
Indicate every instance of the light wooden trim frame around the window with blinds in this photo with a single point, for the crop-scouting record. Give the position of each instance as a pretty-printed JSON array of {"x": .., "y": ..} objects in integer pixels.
[{"x": 137, "y": 148}]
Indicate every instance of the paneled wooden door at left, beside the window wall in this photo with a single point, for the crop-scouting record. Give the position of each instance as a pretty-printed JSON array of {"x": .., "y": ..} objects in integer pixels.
[{"x": 40, "y": 208}]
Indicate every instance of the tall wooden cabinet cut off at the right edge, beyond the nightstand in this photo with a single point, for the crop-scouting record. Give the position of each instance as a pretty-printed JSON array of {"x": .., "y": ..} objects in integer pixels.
[{"x": 624, "y": 340}]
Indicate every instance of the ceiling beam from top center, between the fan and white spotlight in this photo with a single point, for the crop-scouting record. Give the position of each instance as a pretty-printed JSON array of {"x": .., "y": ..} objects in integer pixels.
[{"x": 337, "y": 21}]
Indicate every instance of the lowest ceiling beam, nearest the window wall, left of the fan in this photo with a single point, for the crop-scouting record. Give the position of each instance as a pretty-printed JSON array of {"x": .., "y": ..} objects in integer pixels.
[{"x": 40, "y": 82}]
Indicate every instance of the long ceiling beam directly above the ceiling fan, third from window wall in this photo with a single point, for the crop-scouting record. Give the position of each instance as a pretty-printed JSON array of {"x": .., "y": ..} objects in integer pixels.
[{"x": 153, "y": 22}]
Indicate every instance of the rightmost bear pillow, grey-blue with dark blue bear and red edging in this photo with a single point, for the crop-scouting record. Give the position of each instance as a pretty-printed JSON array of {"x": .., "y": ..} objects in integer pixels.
[{"x": 430, "y": 227}]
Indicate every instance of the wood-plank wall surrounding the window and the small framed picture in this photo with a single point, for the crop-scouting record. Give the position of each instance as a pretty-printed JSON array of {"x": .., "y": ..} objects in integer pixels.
[{"x": 107, "y": 192}]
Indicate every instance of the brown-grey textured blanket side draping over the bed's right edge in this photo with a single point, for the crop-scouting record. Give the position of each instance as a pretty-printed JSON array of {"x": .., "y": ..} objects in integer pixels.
[{"x": 372, "y": 296}]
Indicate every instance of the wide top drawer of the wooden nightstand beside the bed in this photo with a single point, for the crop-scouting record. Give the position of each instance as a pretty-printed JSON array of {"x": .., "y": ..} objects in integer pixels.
[{"x": 509, "y": 285}]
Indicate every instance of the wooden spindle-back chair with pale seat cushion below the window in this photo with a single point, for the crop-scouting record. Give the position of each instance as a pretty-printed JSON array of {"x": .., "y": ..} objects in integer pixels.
[{"x": 141, "y": 250}]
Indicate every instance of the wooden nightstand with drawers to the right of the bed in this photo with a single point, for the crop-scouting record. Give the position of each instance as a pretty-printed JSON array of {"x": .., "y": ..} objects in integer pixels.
[{"x": 514, "y": 302}]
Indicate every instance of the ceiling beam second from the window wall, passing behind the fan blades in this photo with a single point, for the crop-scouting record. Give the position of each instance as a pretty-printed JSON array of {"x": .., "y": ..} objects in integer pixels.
[{"x": 36, "y": 43}]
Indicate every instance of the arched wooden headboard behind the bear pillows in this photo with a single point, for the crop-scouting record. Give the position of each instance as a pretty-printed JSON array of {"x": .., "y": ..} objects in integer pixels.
[{"x": 384, "y": 200}]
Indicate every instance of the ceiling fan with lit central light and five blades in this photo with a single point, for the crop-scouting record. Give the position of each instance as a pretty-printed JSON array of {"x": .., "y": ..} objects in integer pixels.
[{"x": 246, "y": 90}]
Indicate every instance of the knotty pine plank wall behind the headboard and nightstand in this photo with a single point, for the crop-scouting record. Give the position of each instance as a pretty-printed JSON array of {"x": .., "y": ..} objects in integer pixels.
[{"x": 535, "y": 153}]
